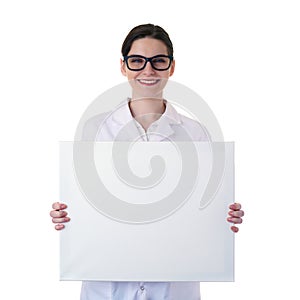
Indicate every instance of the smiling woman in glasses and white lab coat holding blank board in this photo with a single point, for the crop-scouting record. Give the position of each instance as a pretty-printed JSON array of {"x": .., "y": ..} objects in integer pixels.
[{"x": 147, "y": 63}]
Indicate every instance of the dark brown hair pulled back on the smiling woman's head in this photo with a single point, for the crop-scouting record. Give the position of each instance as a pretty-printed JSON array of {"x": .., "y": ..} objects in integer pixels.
[{"x": 147, "y": 30}]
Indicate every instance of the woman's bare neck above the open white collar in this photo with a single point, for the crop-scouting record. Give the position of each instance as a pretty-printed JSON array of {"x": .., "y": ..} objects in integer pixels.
[{"x": 147, "y": 110}]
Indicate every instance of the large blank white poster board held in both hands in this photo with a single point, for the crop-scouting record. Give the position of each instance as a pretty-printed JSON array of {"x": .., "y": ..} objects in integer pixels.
[{"x": 164, "y": 230}]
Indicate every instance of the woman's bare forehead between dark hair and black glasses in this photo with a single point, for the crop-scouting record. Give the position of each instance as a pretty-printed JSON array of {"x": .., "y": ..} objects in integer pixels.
[{"x": 148, "y": 47}]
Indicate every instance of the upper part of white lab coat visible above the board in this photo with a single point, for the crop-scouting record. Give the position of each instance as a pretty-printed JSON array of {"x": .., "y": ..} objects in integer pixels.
[{"x": 121, "y": 126}]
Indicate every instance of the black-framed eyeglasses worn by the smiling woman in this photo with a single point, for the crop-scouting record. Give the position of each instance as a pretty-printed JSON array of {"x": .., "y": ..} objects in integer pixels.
[{"x": 158, "y": 62}]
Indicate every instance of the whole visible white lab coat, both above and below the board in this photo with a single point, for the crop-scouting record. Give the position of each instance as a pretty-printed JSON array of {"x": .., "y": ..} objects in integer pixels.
[{"x": 119, "y": 125}]
